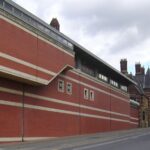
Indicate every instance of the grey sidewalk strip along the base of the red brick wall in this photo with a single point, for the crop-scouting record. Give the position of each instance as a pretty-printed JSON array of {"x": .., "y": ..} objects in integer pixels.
[{"x": 73, "y": 141}]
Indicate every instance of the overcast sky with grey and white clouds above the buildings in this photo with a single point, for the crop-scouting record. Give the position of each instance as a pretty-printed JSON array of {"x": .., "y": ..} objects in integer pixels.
[{"x": 111, "y": 29}]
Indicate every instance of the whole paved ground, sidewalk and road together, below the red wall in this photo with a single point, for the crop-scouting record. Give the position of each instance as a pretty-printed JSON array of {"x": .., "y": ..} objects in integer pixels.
[{"x": 135, "y": 139}]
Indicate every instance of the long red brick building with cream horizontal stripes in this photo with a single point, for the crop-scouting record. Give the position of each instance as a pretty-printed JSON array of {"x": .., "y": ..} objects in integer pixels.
[{"x": 50, "y": 86}]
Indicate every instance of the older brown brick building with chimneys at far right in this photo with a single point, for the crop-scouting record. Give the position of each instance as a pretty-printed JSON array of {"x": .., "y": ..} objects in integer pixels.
[{"x": 141, "y": 91}]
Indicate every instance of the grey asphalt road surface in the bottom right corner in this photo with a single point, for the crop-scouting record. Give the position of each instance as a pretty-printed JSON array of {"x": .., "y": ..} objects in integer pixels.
[{"x": 140, "y": 142}]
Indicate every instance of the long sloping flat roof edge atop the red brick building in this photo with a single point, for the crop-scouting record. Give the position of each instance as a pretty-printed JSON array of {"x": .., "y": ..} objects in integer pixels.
[{"x": 115, "y": 71}]
